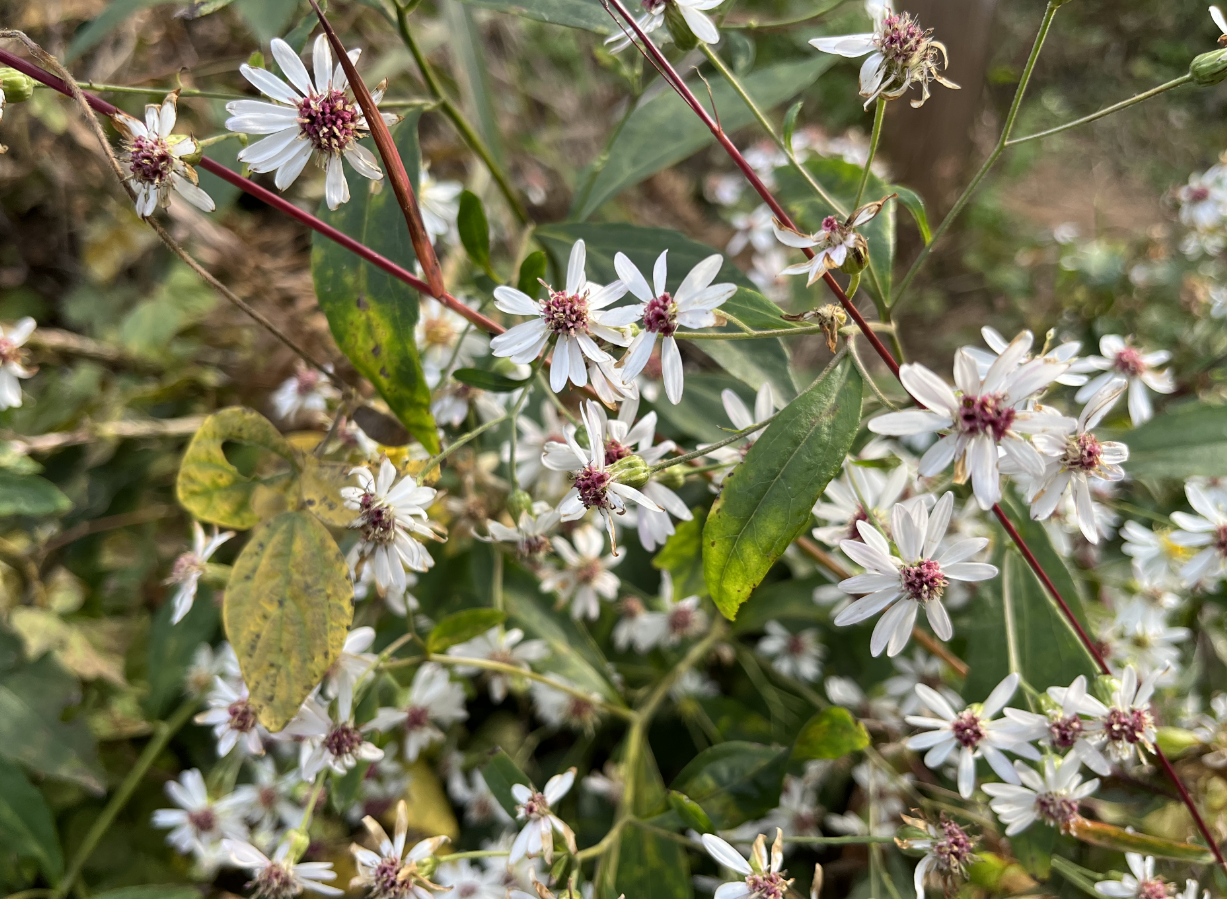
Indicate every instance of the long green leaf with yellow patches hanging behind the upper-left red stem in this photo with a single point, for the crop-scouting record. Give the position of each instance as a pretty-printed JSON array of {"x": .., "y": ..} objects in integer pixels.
[{"x": 372, "y": 315}]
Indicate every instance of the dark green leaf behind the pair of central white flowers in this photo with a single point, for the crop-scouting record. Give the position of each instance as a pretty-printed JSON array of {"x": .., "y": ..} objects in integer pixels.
[{"x": 750, "y": 361}]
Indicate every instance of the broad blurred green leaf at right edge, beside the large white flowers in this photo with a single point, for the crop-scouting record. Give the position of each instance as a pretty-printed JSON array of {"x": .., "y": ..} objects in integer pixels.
[{"x": 1185, "y": 442}]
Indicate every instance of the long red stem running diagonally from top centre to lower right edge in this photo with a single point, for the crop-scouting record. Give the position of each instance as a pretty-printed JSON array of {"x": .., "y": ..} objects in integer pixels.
[{"x": 667, "y": 71}]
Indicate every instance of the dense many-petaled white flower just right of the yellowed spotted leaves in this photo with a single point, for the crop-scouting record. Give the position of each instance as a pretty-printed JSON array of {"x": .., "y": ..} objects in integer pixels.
[{"x": 392, "y": 517}]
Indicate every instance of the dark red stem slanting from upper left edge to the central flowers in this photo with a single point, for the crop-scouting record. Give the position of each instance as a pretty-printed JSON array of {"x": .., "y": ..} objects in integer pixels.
[{"x": 279, "y": 203}]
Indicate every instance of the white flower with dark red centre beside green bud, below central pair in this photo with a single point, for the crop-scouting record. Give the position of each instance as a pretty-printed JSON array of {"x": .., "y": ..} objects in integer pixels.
[{"x": 594, "y": 486}]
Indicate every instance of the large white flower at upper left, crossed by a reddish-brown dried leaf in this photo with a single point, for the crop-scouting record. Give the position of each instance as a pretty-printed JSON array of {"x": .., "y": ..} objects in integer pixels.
[{"x": 317, "y": 118}]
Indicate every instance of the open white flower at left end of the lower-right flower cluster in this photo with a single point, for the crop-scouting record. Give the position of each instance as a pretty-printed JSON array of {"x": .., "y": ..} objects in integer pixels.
[{"x": 975, "y": 733}]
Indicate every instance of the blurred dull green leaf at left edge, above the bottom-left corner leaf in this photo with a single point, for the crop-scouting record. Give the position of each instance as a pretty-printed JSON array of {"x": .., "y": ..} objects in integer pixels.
[{"x": 33, "y": 697}]
